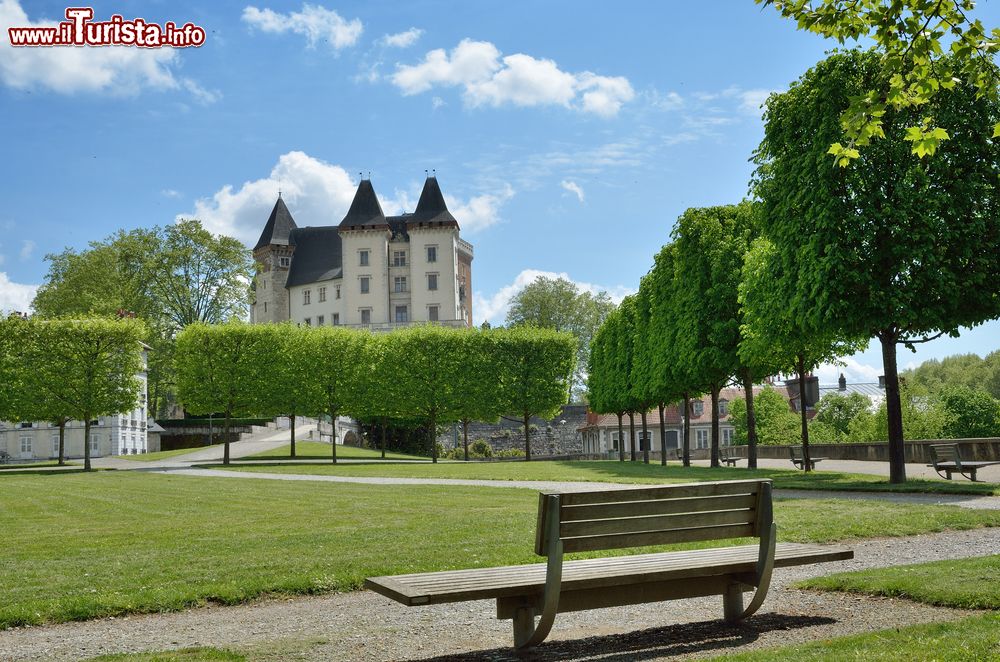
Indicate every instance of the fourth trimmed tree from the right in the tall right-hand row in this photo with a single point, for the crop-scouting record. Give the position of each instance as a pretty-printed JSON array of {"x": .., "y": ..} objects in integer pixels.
[{"x": 711, "y": 244}]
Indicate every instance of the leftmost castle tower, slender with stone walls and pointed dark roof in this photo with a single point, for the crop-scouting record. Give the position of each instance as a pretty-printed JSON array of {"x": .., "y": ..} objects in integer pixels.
[{"x": 273, "y": 254}]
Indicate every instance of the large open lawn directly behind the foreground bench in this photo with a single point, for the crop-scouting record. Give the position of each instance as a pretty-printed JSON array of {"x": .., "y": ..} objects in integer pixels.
[{"x": 132, "y": 542}]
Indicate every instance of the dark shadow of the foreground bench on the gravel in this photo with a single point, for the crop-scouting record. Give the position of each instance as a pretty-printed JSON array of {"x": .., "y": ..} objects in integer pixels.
[{"x": 650, "y": 644}]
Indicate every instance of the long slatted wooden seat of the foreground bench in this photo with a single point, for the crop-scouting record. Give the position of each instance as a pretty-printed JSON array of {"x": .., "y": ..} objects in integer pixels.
[{"x": 484, "y": 583}]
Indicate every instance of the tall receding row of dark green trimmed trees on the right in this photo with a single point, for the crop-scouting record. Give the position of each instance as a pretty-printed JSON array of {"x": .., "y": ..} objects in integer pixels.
[{"x": 897, "y": 248}]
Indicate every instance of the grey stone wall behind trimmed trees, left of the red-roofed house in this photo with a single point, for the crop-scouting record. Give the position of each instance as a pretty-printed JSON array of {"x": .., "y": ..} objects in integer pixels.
[{"x": 556, "y": 436}]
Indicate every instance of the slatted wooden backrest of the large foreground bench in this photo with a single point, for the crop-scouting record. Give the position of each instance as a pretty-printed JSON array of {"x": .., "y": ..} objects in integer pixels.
[{"x": 642, "y": 516}]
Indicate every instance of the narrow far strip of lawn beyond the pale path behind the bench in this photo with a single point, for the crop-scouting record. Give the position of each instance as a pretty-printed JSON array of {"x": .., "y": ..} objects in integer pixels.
[{"x": 628, "y": 472}]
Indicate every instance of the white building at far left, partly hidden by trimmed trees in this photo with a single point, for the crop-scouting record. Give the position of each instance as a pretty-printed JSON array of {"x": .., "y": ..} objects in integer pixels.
[{"x": 120, "y": 434}]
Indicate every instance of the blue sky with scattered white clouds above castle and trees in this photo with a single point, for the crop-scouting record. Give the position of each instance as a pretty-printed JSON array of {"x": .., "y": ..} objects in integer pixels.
[{"x": 567, "y": 136}]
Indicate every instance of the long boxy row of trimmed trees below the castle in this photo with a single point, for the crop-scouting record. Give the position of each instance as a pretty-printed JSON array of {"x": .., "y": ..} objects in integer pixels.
[{"x": 437, "y": 374}]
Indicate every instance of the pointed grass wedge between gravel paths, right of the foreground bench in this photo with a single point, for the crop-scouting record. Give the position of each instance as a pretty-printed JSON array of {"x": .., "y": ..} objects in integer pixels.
[{"x": 972, "y": 583}]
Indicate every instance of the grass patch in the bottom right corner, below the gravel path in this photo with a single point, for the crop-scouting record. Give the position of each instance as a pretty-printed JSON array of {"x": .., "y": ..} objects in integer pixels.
[{"x": 972, "y": 638}]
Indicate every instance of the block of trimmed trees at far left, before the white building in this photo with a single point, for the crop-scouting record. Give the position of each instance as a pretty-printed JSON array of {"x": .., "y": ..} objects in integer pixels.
[{"x": 63, "y": 370}]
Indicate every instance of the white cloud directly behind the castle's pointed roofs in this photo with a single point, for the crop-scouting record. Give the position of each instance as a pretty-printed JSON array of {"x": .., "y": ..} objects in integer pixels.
[{"x": 318, "y": 193}]
